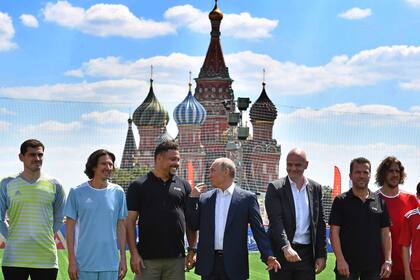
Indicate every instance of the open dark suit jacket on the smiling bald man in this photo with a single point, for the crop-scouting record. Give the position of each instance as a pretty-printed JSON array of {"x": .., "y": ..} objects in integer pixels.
[{"x": 280, "y": 209}]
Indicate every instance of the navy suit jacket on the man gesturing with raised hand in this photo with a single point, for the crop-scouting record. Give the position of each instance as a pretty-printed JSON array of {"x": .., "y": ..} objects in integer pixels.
[{"x": 243, "y": 209}]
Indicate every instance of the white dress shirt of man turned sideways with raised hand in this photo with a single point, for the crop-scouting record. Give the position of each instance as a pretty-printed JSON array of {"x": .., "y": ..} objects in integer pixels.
[{"x": 221, "y": 210}]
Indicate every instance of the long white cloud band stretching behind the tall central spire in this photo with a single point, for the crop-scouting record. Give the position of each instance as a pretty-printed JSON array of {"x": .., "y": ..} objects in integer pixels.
[{"x": 127, "y": 81}]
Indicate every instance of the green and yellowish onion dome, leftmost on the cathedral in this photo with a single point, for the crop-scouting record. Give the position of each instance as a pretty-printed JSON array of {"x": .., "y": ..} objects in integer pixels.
[{"x": 151, "y": 112}]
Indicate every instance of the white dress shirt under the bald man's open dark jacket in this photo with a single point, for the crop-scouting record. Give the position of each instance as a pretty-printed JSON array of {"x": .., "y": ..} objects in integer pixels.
[{"x": 301, "y": 201}]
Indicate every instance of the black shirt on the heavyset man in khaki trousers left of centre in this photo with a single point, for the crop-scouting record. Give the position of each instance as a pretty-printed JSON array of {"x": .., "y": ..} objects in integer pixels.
[{"x": 161, "y": 207}]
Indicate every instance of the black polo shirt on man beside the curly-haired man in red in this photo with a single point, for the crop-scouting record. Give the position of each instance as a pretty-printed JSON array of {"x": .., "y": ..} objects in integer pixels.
[{"x": 360, "y": 229}]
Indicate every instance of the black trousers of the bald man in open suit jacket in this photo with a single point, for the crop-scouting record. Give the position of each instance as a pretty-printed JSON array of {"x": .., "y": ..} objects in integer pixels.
[{"x": 302, "y": 270}]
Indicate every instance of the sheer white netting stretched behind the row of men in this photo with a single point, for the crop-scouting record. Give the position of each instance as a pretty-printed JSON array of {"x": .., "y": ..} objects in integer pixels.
[{"x": 73, "y": 130}]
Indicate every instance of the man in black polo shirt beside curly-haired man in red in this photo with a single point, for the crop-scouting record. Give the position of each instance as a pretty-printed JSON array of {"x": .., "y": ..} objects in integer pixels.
[{"x": 359, "y": 224}]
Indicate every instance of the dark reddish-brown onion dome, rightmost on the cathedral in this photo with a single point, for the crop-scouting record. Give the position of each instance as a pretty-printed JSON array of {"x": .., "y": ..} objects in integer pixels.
[{"x": 263, "y": 109}]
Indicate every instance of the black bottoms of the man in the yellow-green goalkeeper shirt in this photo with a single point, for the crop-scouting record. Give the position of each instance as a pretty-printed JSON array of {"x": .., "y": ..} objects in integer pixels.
[{"x": 22, "y": 273}]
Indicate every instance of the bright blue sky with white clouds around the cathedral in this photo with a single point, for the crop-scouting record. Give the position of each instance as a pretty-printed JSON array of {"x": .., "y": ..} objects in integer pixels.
[{"x": 344, "y": 75}]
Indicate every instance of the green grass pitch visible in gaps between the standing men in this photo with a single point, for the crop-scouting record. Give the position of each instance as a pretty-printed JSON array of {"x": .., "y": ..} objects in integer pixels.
[{"x": 257, "y": 268}]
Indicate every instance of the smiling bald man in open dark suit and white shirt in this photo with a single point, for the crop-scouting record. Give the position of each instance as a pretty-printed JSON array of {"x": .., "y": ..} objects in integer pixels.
[{"x": 297, "y": 227}]
